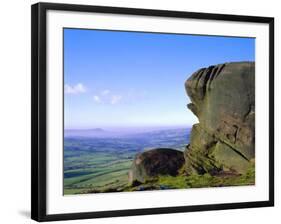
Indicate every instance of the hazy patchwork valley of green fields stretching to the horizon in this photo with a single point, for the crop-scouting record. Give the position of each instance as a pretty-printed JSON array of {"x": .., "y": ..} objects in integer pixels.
[{"x": 101, "y": 164}]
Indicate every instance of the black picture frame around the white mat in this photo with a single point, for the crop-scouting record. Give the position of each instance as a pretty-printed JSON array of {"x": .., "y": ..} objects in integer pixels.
[{"x": 38, "y": 108}]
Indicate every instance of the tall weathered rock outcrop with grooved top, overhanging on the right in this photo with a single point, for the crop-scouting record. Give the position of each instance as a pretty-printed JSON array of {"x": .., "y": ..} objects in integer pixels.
[{"x": 223, "y": 99}]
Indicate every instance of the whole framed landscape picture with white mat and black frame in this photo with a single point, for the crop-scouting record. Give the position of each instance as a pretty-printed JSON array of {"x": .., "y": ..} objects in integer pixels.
[{"x": 140, "y": 111}]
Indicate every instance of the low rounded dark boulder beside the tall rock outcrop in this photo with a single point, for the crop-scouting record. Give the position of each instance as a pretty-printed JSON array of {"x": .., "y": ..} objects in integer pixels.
[{"x": 155, "y": 162}]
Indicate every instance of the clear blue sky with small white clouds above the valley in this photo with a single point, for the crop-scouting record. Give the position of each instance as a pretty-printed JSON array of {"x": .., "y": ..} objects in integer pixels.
[{"x": 133, "y": 79}]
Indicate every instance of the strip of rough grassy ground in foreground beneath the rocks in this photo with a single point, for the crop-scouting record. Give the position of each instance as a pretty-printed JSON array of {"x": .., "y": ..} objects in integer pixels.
[{"x": 168, "y": 182}]
